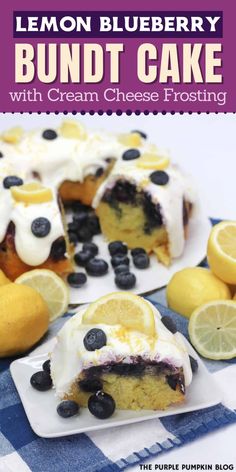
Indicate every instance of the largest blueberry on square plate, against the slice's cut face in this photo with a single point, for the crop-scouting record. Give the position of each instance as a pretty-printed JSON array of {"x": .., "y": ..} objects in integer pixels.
[{"x": 101, "y": 405}]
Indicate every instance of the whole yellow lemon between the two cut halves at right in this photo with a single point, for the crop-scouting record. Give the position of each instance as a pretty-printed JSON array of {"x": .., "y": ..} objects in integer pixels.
[{"x": 191, "y": 287}]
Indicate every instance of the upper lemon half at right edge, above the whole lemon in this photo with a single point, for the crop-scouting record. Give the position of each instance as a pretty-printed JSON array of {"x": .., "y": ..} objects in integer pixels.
[{"x": 221, "y": 251}]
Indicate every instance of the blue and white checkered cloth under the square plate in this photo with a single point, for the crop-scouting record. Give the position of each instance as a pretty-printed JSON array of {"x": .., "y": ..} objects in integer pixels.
[{"x": 21, "y": 450}]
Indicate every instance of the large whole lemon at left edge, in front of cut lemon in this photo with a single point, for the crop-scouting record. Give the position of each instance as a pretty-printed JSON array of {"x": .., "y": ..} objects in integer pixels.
[{"x": 24, "y": 318}]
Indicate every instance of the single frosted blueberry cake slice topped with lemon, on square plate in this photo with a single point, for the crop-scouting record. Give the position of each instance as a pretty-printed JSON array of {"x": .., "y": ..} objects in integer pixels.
[{"x": 119, "y": 347}]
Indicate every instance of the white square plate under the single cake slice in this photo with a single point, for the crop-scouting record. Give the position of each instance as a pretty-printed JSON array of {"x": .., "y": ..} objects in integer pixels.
[{"x": 40, "y": 407}]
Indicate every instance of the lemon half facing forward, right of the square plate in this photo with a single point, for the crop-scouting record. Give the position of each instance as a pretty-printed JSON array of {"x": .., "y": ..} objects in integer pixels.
[{"x": 212, "y": 330}]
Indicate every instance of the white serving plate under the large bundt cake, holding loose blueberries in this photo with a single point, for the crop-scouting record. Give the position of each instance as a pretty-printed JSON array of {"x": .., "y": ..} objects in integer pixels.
[{"x": 153, "y": 278}]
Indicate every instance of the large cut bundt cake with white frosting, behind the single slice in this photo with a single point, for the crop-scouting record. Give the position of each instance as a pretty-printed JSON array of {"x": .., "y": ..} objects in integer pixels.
[{"x": 139, "y": 197}]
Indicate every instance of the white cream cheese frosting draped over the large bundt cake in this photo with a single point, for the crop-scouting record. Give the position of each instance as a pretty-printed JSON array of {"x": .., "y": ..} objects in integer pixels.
[{"x": 74, "y": 158}]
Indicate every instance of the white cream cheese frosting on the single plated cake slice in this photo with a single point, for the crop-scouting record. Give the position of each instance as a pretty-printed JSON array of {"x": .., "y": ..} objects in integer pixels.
[{"x": 70, "y": 357}]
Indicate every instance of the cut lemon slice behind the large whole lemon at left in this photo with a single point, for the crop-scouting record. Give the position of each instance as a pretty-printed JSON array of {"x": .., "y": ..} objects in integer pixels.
[{"x": 52, "y": 288}]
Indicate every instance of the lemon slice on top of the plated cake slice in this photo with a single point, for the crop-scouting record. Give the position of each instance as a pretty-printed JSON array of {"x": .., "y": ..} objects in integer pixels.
[{"x": 123, "y": 308}]
